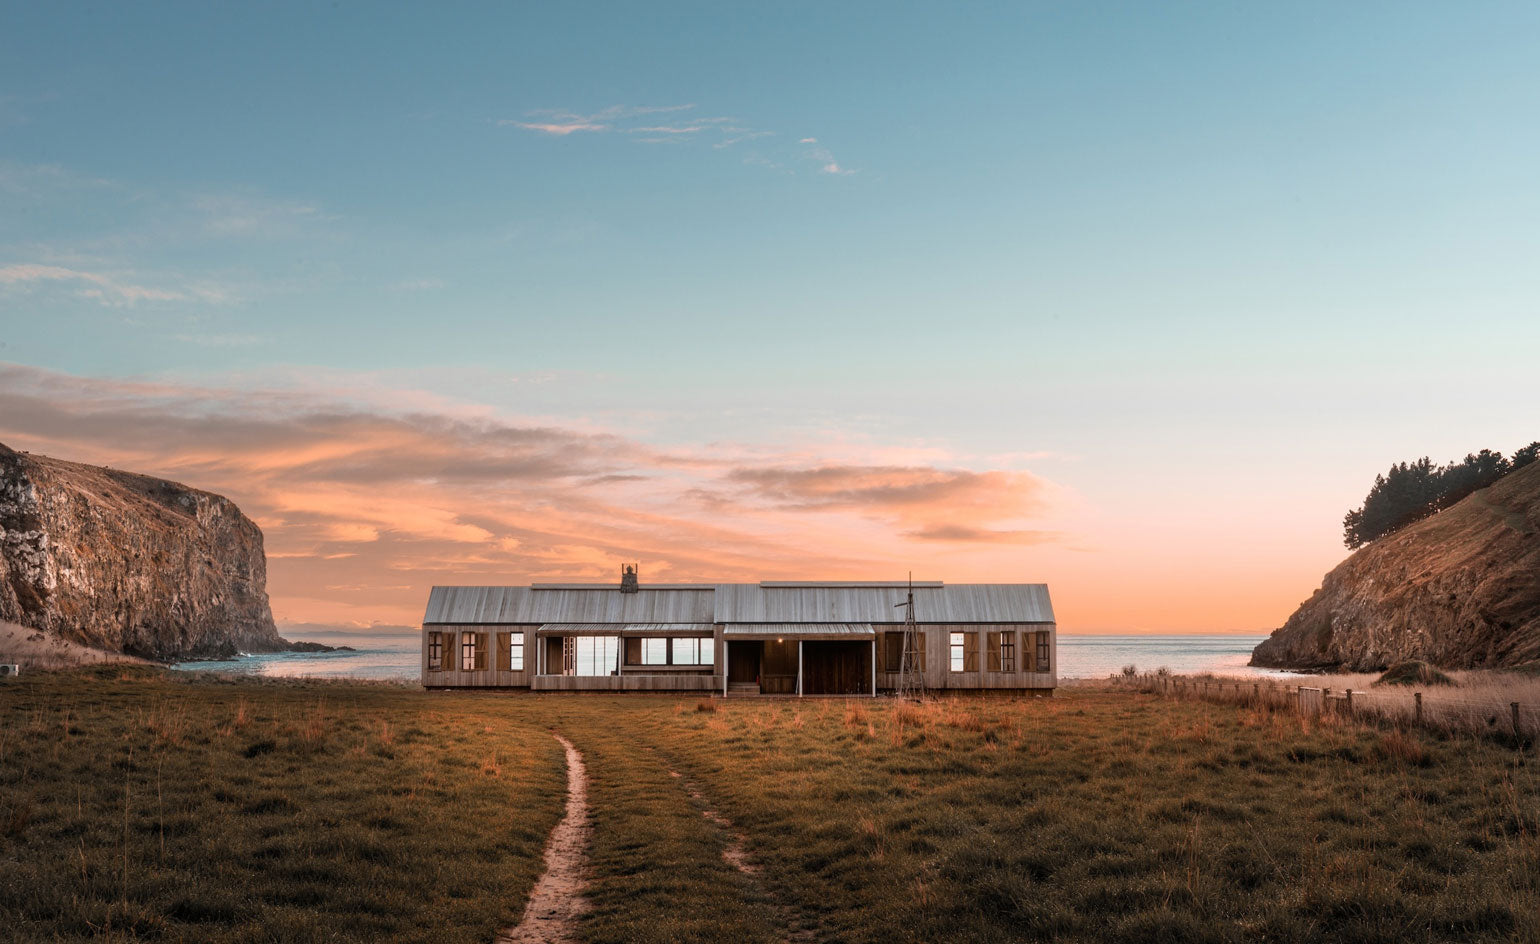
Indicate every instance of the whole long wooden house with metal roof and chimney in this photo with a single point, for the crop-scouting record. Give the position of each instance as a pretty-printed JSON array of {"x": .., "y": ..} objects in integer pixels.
[{"x": 771, "y": 638}]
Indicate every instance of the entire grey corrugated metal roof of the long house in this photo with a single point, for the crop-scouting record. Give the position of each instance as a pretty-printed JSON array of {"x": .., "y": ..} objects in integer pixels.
[{"x": 740, "y": 603}]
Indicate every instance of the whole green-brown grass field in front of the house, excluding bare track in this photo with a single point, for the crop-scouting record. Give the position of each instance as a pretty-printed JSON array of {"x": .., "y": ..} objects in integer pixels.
[{"x": 136, "y": 805}]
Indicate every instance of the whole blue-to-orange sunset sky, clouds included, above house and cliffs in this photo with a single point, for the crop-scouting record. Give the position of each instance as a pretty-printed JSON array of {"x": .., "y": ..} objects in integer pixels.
[{"x": 1130, "y": 300}]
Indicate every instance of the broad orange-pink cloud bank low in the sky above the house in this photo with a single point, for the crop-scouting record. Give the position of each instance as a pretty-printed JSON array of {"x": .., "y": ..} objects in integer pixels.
[{"x": 350, "y": 490}]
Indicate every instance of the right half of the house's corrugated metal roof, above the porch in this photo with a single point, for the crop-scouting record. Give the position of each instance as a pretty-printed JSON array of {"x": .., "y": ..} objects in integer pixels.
[{"x": 954, "y": 603}]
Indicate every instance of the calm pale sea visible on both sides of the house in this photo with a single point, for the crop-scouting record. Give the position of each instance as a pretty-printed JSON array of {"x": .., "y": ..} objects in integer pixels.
[{"x": 1082, "y": 657}]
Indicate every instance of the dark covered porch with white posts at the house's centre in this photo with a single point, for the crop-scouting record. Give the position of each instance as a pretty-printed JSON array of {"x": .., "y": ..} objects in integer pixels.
[{"x": 806, "y": 658}]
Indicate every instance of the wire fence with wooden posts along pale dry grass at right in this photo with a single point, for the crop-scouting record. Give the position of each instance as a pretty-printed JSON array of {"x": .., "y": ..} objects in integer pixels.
[{"x": 1439, "y": 709}]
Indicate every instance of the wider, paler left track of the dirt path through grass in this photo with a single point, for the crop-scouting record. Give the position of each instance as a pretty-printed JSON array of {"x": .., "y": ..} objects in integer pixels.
[{"x": 557, "y": 900}]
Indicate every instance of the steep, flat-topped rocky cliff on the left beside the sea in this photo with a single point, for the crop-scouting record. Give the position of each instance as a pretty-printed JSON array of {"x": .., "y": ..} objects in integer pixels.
[{"x": 129, "y": 563}]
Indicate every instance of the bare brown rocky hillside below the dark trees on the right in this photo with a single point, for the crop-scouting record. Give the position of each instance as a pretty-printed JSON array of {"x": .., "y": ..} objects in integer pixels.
[{"x": 1461, "y": 591}]
